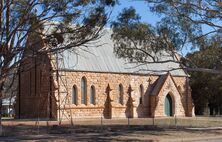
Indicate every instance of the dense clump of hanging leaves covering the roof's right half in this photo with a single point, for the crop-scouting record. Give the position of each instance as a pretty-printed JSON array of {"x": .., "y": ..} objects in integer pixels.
[{"x": 140, "y": 42}]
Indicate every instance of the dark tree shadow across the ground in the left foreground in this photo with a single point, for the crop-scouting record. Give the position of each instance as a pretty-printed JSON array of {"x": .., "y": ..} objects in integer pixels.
[{"x": 78, "y": 133}]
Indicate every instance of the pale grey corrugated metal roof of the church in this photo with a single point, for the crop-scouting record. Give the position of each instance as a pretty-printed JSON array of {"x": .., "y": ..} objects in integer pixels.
[{"x": 102, "y": 59}]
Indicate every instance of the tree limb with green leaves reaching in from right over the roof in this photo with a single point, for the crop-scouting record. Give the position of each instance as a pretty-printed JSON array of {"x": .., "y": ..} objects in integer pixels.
[{"x": 140, "y": 41}]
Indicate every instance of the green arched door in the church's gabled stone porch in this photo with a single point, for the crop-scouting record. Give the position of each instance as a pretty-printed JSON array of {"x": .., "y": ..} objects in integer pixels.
[{"x": 168, "y": 106}]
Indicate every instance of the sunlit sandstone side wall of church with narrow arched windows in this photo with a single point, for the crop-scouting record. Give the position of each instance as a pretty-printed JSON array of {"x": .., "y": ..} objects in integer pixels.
[{"x": 114, "y": 109}]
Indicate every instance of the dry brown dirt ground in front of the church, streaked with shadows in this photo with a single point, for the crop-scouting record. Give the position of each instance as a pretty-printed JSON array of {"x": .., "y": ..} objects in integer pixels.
[{"x": 148, "y": 130}]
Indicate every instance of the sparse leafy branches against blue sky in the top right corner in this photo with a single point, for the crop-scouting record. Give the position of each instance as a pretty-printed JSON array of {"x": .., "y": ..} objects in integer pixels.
[{"x": 190, "y": 17}]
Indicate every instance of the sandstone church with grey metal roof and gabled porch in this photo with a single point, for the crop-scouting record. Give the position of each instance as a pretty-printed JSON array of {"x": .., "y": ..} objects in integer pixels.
[{"x": 95, "y": 83}]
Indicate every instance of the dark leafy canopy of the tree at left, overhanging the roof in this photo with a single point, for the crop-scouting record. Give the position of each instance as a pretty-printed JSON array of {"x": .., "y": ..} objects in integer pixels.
[{"x": 80, "y": 21}]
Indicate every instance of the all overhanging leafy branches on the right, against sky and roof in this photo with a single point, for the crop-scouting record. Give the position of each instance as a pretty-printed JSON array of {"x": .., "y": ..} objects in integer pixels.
[{"x": 183, "y": 26}]
